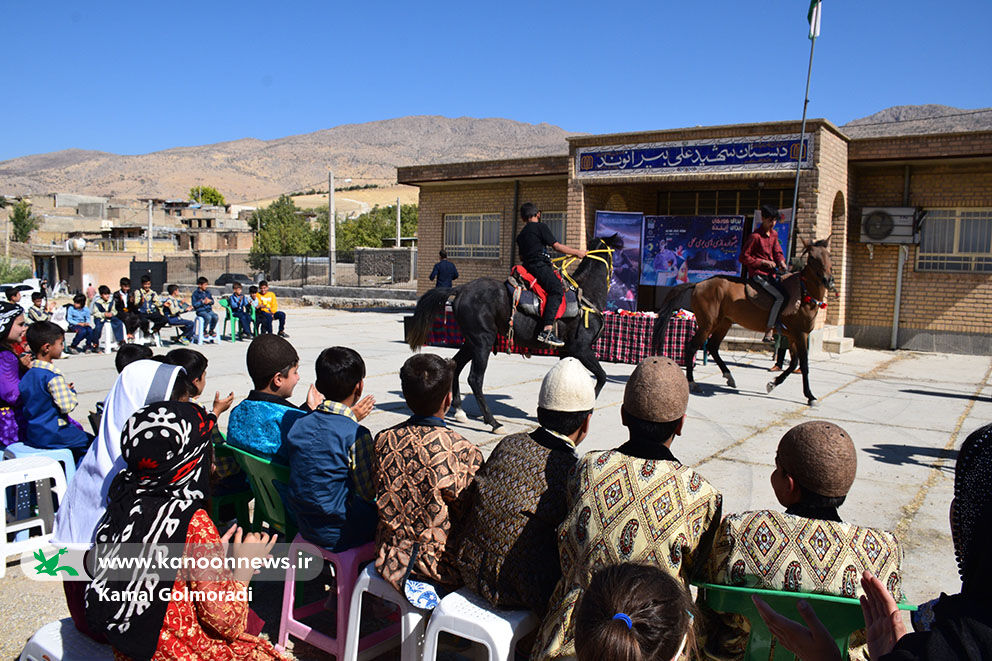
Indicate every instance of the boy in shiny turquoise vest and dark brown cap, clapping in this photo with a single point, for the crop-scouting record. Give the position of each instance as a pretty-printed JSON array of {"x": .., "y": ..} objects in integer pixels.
[{"x": 261, "y": 422}]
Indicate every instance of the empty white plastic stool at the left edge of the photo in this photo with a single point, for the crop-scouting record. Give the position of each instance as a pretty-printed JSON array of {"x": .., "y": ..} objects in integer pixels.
[{"x": 20, "y": 471}]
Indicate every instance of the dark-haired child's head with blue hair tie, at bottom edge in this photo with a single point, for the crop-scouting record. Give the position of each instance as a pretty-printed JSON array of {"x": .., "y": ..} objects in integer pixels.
[{"x": 635, "y": 613}]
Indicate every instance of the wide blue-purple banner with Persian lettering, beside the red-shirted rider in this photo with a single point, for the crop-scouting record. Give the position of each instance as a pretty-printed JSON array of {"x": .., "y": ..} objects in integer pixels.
[{"x": 680, "y": 249}]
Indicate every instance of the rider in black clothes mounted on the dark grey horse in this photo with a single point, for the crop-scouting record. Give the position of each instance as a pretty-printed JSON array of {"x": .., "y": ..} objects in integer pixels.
[{"x": 533, "y": 241}]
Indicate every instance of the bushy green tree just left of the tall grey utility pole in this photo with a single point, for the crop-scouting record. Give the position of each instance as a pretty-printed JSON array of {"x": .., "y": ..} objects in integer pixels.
[{"x": 280, "y": 229}]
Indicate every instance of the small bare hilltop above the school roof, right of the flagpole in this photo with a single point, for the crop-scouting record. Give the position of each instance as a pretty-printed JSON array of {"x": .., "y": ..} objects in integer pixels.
[{"x": 914, "y": 120}]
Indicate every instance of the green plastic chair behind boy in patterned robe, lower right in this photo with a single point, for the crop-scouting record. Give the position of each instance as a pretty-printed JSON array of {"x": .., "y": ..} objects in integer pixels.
[{"x": 840, "y": 615}]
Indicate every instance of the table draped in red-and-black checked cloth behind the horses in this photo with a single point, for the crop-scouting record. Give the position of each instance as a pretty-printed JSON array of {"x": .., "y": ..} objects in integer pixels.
[{"x": 626, "y": 337}]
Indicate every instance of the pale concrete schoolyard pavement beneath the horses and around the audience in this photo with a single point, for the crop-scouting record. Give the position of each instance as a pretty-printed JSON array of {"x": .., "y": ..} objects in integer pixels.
[{"x": 907, "y": 412}]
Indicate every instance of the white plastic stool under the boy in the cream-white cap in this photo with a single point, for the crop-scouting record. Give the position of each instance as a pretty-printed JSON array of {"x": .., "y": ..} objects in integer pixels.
[{"x": 467, "y": 615}]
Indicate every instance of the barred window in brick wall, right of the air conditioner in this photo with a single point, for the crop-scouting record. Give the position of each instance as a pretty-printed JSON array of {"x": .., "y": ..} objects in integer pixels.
[{"x": 957, "y": 240}]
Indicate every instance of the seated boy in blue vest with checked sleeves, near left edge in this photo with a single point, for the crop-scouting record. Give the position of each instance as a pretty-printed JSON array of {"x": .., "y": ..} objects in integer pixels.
[{"x": 48, "y": 398}]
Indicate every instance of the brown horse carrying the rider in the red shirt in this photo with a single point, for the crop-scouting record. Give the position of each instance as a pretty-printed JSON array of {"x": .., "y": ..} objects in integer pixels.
[{"x": 720, "y": 301}]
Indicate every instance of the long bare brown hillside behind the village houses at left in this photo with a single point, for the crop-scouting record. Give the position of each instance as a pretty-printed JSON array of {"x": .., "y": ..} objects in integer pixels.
[{"x": 250, "y": 169}]
